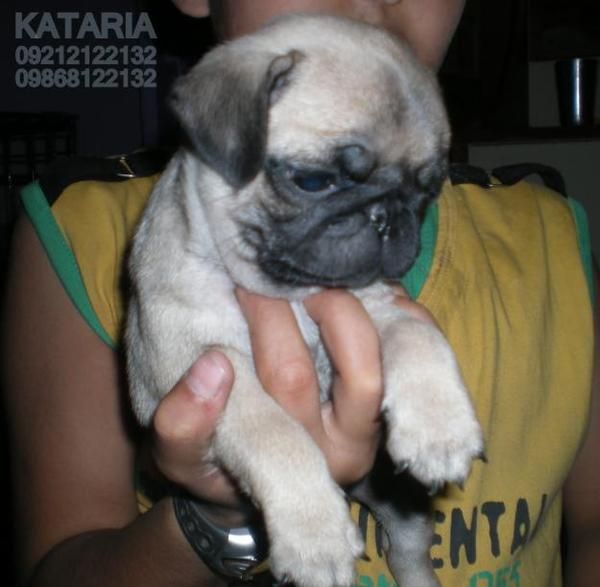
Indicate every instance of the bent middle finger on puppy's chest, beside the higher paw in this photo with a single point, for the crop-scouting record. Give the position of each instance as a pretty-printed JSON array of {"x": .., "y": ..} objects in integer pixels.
[{"x": 353, "y": 345}]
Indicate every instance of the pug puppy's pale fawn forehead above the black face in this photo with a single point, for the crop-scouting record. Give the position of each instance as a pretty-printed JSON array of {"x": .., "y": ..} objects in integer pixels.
[{"x": 369, "y": 90}]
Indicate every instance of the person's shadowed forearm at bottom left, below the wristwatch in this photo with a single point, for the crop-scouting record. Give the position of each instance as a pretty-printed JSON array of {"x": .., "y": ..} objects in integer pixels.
[{"x": 149, "y": 551}]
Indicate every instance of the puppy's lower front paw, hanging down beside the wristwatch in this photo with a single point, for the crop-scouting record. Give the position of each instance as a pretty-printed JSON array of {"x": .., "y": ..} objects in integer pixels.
[{"x": 315, "y": 543}]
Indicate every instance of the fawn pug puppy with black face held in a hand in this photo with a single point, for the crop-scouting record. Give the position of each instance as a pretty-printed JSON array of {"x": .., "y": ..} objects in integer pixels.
[{"x": 313, "y": 148}]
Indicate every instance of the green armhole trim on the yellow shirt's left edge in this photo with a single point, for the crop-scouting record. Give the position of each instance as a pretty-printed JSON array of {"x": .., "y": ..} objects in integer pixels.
[{"x": 61, "y": 256}]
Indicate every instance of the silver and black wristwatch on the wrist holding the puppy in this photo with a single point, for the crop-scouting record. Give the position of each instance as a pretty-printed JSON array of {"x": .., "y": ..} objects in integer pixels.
[{"x": 232, "y": 553}]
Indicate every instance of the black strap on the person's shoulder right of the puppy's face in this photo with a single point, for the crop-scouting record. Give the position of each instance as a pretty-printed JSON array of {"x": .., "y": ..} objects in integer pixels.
[{"x": 461, "y": 173}]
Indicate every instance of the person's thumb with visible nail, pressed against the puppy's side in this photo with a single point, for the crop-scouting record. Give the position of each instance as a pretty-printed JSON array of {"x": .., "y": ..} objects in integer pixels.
[{"x": 184, "y": 423}]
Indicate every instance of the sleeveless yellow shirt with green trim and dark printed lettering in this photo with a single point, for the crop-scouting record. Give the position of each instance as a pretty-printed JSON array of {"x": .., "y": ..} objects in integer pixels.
[{"x": 503, "y": 270}]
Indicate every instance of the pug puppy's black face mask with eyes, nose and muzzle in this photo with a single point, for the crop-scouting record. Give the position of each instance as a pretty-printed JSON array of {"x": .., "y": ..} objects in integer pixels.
[{"x": 326, "y": 228}]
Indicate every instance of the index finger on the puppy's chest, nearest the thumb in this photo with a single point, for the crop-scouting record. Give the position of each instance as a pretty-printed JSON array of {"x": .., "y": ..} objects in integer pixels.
[{"x": 282, "y": 360}]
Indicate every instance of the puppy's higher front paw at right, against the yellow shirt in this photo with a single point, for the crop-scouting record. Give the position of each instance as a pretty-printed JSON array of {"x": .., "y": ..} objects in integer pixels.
[{"x": 433, "y": 431}]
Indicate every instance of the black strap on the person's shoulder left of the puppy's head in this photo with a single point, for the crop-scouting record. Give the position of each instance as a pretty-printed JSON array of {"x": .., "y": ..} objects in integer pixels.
[{"x": 65, "y": 171}]
